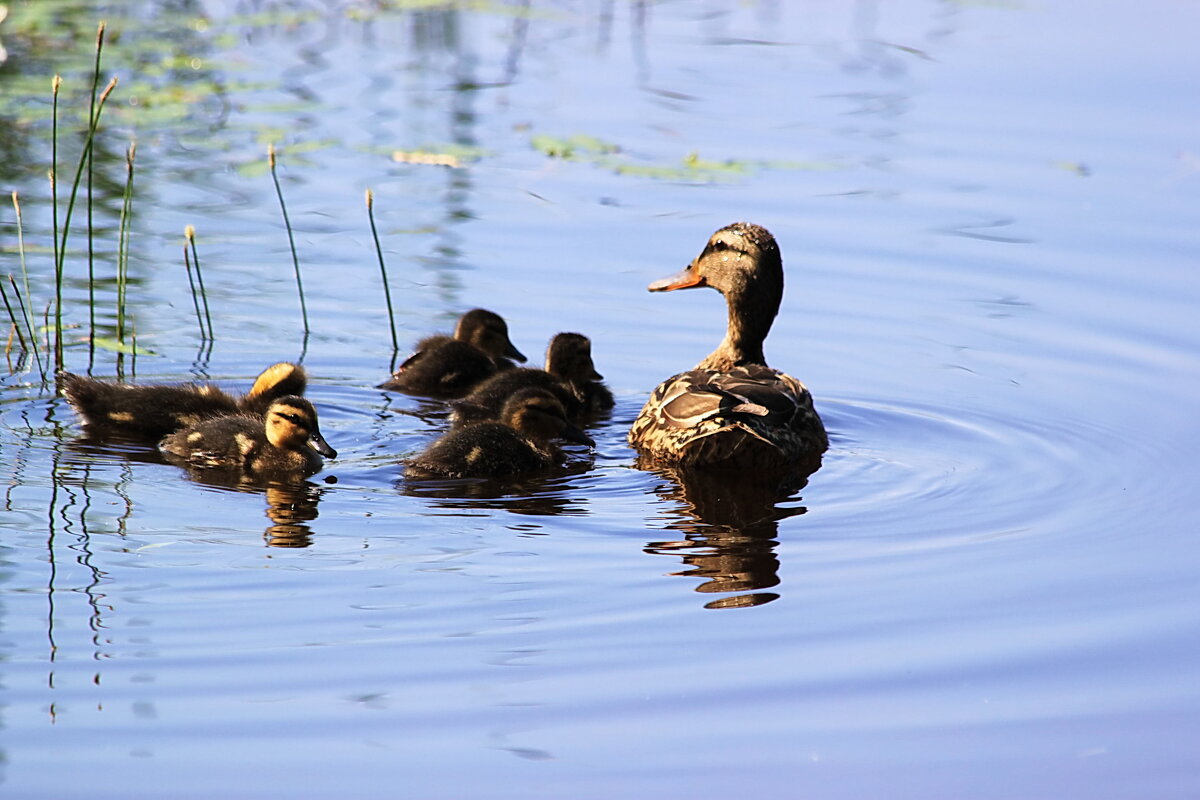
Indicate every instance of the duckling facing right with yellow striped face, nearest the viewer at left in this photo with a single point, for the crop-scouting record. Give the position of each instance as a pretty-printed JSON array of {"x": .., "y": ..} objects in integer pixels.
[{"x": 286, "y": 442}]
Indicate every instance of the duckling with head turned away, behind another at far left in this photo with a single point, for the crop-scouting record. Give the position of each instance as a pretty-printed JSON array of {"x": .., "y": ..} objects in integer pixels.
[{"x": 153, "y": 411}]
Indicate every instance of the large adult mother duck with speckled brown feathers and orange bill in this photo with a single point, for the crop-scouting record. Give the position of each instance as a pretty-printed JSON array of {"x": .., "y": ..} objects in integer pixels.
[{"x": 734, "y": 411}]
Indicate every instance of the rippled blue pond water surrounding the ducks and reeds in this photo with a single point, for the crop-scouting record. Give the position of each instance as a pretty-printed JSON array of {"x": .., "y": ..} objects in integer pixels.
[{"x": 989, "y": 219}]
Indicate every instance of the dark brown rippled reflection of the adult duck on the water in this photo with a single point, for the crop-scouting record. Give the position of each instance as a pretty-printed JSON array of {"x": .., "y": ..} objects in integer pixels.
[{"x": 730, "y": 533}]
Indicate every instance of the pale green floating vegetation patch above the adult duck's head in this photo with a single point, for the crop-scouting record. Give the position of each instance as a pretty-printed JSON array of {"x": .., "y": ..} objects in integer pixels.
[{"x": 608, "y": 155}]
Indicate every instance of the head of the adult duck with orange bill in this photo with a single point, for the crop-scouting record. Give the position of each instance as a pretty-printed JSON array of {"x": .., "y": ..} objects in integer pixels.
[{"x": 741, "y": 261}]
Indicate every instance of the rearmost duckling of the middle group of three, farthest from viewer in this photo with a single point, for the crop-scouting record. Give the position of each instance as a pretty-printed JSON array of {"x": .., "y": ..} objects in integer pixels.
[{"x": 451, "y": 366}]
